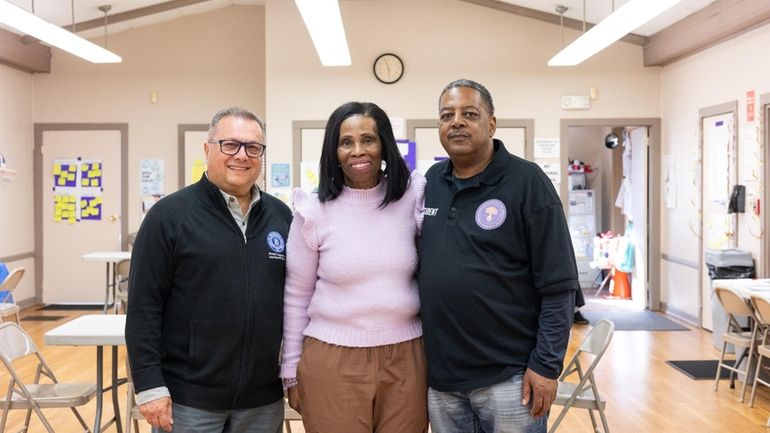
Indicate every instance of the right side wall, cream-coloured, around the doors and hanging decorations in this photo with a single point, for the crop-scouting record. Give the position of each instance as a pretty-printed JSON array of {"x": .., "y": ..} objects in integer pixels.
[{"x": 720, "y": 74}]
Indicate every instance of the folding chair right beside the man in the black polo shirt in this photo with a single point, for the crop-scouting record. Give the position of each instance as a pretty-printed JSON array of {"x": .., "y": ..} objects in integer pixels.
[{"x": 585, "y": 394}]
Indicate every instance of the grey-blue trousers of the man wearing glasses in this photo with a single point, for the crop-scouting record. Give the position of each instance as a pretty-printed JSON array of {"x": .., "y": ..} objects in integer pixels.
[{"x": 262, "y": 419}]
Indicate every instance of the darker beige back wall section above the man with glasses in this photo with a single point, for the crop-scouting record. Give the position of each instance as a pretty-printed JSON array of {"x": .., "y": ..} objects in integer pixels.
[{"x": 198, "y": 64}]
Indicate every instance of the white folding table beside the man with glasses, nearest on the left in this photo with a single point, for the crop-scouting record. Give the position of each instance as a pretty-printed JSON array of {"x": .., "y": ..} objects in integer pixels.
[{"x": 96, "y": 330}]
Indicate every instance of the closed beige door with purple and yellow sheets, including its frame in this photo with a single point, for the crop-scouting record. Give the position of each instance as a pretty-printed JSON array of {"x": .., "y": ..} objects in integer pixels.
[{"x": 100, "y": 194}]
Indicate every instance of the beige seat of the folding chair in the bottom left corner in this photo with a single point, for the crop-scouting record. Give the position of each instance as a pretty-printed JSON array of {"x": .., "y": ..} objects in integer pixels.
[{"x": 54, "y": 395}]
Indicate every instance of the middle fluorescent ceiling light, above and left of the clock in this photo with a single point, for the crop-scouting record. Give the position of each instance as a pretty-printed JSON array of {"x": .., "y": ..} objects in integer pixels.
[{"x": 324, "y": 23}]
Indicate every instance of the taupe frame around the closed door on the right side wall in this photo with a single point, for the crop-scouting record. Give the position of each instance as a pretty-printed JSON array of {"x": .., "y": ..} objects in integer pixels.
[{"x": 730, "y": 107}]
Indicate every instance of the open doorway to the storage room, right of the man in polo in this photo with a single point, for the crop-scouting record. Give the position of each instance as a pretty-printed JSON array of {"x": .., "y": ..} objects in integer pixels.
[{"x": 644, "y": 137}]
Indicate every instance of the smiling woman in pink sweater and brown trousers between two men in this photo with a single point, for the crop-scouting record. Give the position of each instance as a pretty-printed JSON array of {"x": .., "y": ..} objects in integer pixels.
[{"x": 353, "y": 358}]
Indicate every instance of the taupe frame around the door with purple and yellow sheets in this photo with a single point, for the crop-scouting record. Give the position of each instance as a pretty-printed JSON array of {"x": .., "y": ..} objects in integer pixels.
[{"x": 37, "y": 171}]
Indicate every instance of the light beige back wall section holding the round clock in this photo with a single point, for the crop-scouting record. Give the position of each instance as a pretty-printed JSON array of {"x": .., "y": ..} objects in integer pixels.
[{"x": 440, "y": 41}]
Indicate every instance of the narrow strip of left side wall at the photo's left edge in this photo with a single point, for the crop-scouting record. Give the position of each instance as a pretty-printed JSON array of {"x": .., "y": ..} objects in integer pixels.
[{"x": 16, "y": 204}]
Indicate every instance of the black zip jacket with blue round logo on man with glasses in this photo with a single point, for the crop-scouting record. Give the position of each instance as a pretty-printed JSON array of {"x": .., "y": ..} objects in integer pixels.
[{"x": 205, "y": 310}]
